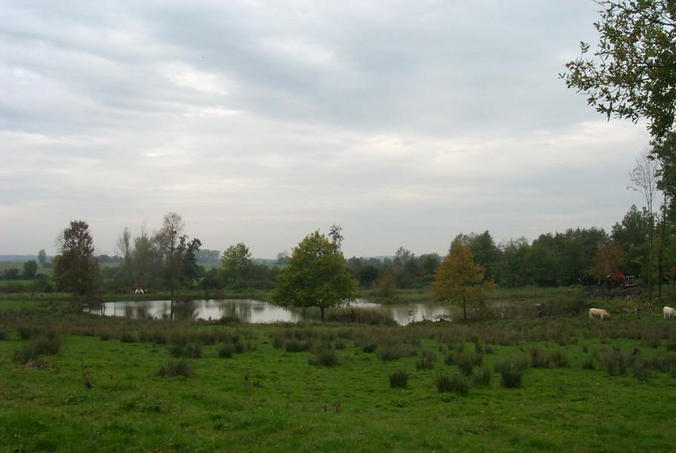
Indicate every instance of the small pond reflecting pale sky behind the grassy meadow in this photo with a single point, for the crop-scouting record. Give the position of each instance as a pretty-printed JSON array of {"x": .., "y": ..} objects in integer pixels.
[{"x": 255, "y": 311}]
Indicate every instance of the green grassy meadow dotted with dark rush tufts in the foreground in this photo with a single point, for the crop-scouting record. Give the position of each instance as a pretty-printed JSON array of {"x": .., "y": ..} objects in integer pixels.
[{"x": 75, "y": 382}]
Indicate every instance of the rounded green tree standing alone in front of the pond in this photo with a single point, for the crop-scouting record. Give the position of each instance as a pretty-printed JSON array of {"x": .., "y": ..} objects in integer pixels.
[{"x": 316, "y": 276}]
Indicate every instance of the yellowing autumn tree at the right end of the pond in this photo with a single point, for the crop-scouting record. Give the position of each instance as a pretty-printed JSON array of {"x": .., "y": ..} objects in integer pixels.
[{"x": 459, "y": 279}]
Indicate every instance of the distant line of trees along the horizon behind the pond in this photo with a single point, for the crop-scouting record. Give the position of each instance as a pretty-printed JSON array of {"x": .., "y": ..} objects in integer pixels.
[{"x": 167, "y": 260}]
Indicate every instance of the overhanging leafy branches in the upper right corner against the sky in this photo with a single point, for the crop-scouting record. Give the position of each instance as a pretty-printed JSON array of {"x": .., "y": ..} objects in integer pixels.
[{"x": 632, "y": 73}]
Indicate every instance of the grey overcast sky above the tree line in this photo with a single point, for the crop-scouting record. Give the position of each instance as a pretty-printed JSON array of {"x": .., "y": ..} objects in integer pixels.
[{"x": 407, "y": 122}]
